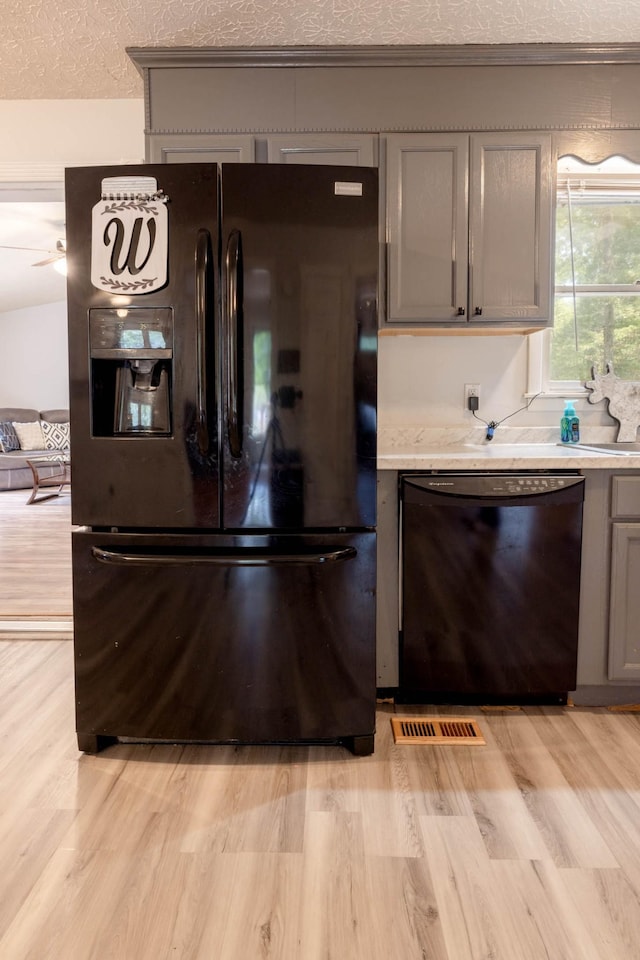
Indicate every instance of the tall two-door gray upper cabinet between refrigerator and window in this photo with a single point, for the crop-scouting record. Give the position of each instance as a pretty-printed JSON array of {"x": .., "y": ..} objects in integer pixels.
[{"x": 469, "y": 228}]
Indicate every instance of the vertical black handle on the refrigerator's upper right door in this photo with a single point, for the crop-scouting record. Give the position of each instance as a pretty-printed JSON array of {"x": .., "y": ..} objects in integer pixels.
[{"x": 233, "y": 265}]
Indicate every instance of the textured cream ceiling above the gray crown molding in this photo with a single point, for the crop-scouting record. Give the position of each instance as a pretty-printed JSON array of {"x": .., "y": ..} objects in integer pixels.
[{"x": 76, "y": 48}]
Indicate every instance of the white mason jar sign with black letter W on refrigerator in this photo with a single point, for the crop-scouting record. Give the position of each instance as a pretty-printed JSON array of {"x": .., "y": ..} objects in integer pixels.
[{"x": 129, "y": 244}]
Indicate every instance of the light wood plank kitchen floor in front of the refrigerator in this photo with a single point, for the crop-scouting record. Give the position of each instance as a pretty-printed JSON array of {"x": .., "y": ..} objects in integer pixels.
[{"x": 527, "y": 848}]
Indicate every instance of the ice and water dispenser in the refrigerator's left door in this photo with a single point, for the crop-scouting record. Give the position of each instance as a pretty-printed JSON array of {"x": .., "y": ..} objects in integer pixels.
[{"x": 131, "y": 354}]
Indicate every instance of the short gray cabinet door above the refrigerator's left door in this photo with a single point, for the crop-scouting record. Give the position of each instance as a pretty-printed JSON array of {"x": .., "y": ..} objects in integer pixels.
[{"x": 200, "y": 148}]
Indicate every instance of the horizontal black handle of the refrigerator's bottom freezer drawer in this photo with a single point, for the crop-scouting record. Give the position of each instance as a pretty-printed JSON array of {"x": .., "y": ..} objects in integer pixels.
[{"x": 239, "y": 559}]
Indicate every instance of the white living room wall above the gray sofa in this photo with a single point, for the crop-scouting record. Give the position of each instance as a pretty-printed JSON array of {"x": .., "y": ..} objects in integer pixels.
[{"x": 34, "y": 370}]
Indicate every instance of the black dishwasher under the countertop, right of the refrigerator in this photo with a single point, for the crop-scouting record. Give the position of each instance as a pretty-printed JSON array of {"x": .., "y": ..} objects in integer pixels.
[{"x": 490, "y": 586}]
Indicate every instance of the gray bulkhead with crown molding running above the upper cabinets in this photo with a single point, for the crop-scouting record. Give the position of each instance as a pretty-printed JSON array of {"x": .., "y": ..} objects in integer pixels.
[{"x": 371, "y": 89}]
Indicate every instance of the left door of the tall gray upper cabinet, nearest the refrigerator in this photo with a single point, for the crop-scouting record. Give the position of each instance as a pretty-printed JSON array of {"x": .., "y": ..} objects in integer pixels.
[{"x": 427, "y": 186}]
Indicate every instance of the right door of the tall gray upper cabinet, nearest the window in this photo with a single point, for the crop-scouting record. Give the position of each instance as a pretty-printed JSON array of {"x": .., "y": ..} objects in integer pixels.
[{"x": 510, "y": 227}]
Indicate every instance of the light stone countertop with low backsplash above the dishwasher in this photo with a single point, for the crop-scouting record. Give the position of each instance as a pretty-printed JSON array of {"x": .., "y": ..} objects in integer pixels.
[{"x": 417, "y": 448}]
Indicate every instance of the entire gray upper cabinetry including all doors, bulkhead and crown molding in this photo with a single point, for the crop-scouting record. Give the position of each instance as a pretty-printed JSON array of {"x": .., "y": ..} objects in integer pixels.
[{"x": 486, "y": 121}]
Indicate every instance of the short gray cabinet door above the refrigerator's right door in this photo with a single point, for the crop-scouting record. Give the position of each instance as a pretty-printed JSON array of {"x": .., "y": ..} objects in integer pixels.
[{"x": 340, "y": 149}]
